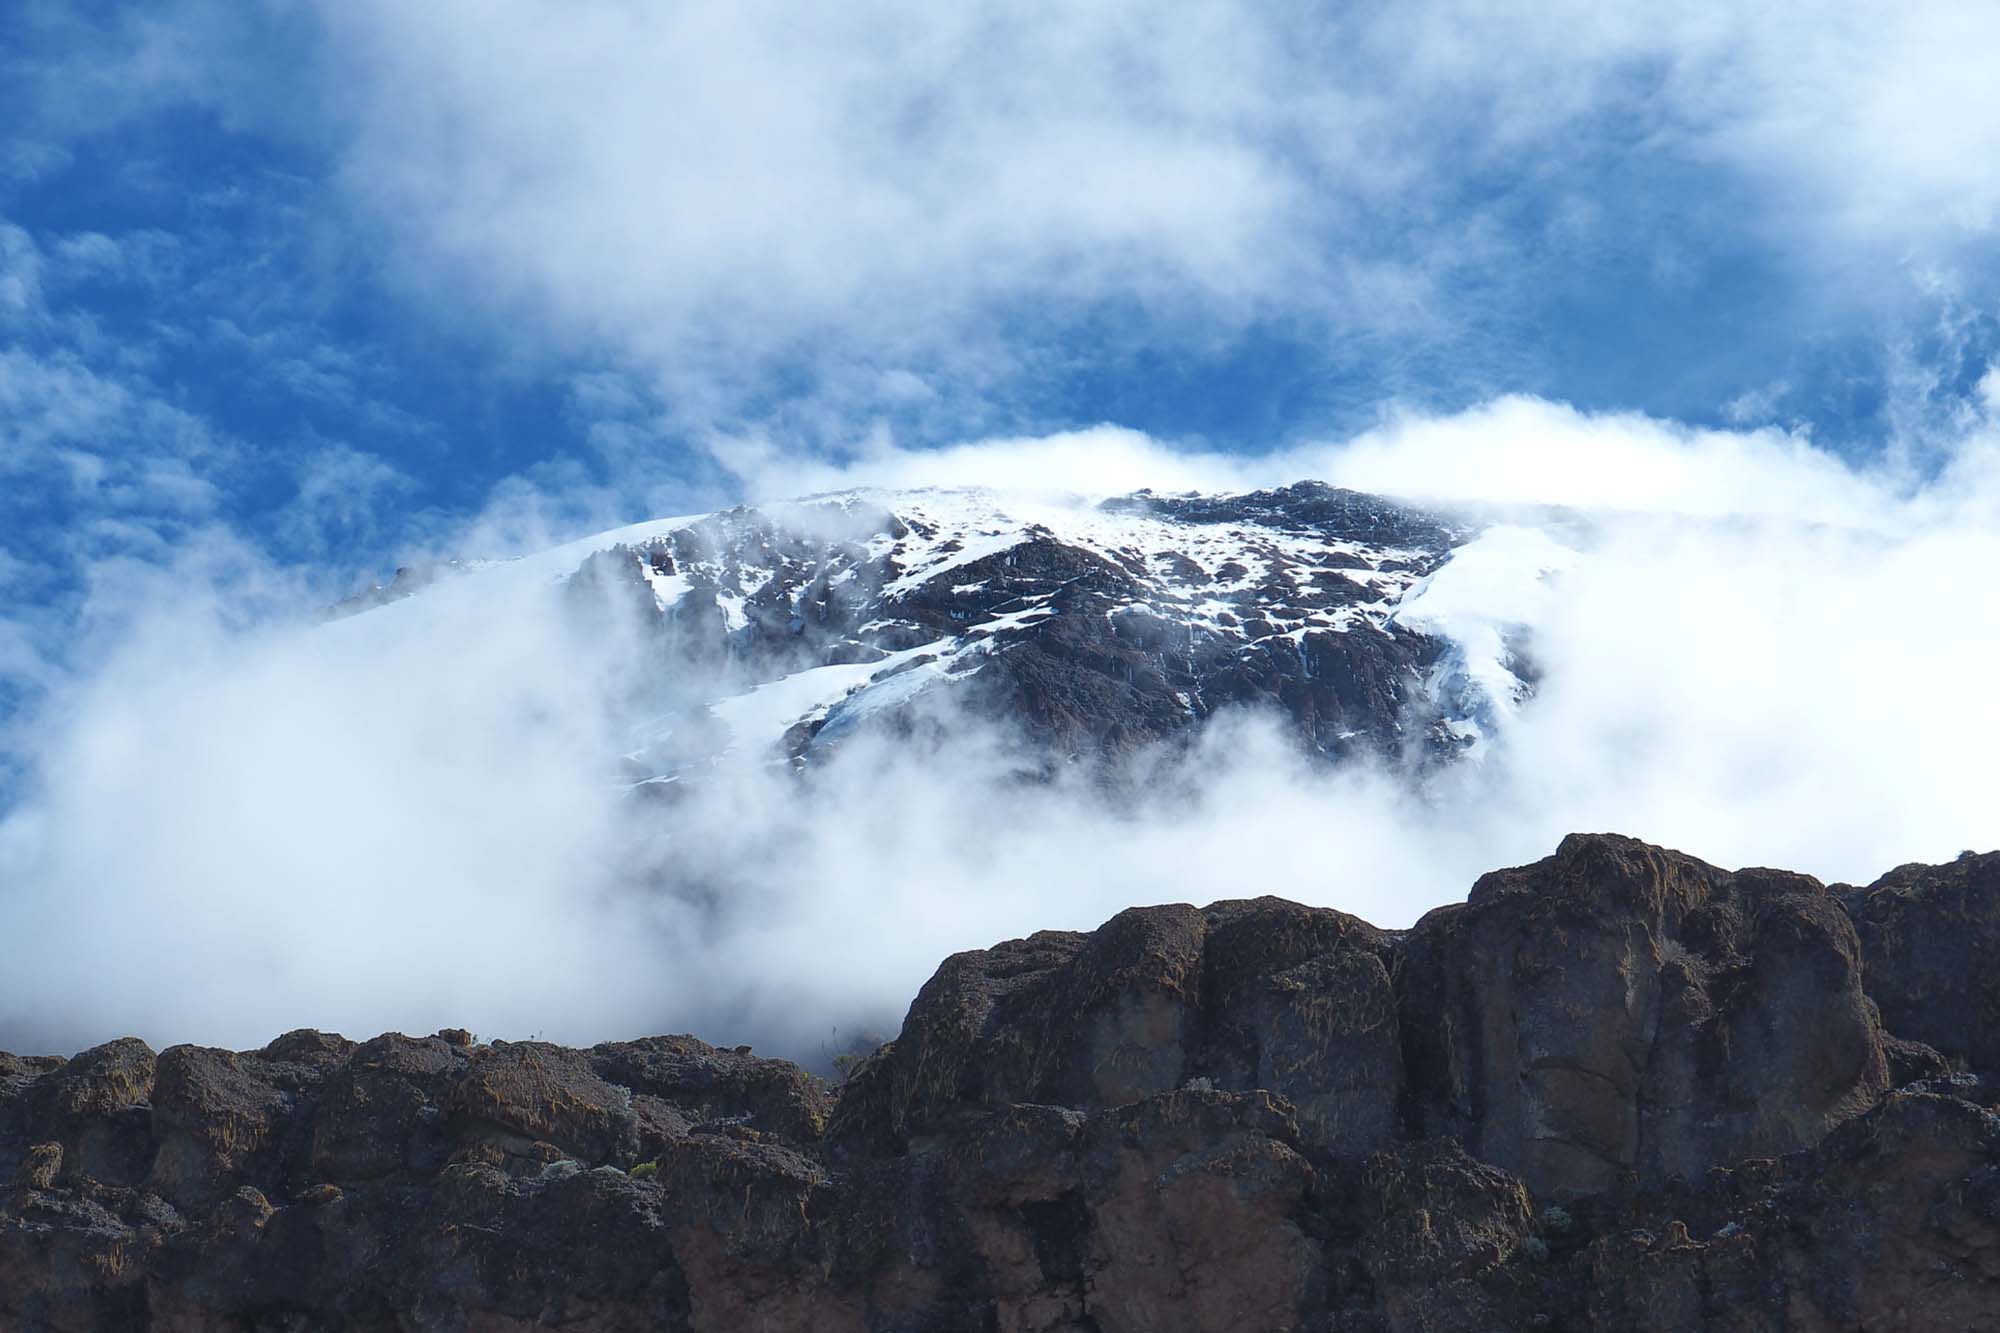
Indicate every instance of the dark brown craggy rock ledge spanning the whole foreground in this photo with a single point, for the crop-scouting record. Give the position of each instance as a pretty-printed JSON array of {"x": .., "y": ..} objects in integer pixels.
[{"x": 1617, "y": 1088}]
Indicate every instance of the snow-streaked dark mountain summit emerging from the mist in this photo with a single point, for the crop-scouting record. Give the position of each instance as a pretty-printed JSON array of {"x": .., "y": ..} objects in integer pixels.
[{"x": 1089, "y": 627}]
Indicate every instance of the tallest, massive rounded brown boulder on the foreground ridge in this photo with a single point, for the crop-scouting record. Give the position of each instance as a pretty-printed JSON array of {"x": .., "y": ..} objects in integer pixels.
[{"x": 1621, "y": 1008}]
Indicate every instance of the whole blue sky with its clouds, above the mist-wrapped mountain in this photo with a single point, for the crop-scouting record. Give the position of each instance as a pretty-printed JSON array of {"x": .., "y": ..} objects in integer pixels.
[{"x": 325, "y": 287}]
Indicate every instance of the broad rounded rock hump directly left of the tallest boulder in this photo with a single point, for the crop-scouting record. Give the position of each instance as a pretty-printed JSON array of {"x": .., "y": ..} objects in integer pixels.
[{"x": 1243, "y": 996}]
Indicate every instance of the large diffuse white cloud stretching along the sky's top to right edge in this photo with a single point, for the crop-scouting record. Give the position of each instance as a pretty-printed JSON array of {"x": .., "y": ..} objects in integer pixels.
[{"x": 883, "y": 191}]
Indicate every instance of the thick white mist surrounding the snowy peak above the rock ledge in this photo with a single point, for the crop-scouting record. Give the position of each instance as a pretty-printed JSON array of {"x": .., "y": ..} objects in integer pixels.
[{"x": 243, "y": 824}]
